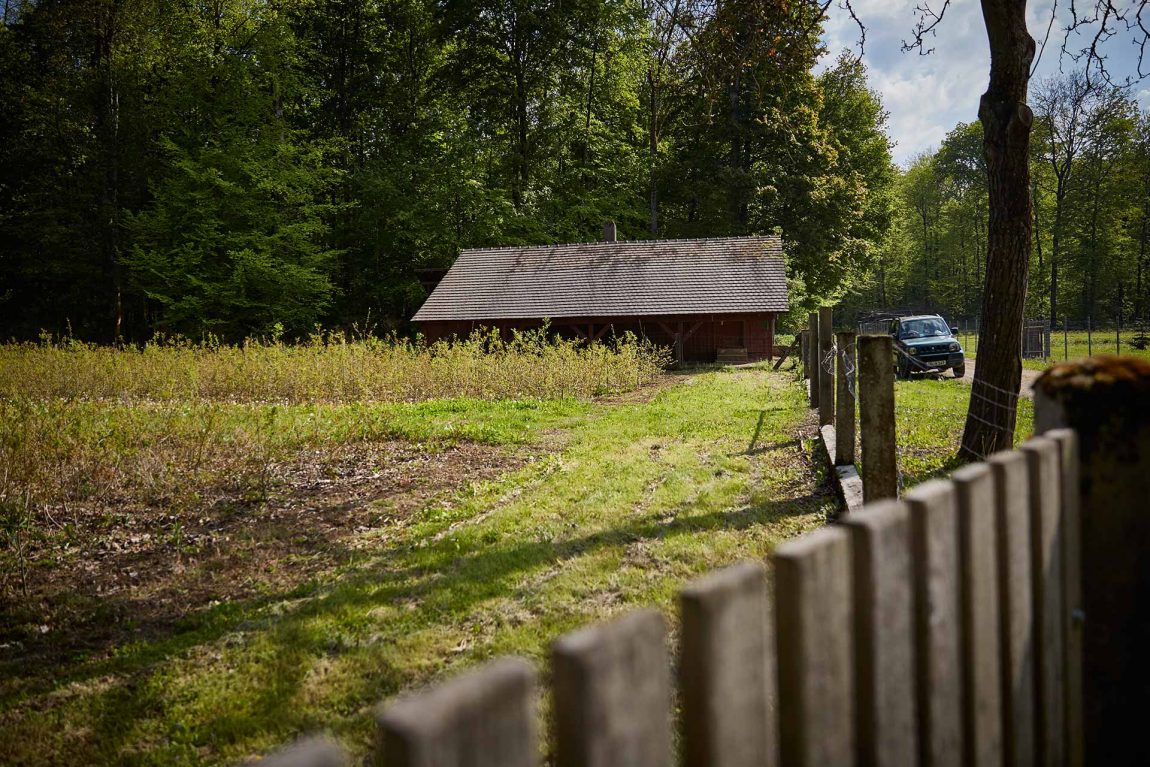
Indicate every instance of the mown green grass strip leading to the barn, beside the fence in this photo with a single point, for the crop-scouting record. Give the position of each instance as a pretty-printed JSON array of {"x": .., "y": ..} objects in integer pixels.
[{"x": 627, "y": 501}]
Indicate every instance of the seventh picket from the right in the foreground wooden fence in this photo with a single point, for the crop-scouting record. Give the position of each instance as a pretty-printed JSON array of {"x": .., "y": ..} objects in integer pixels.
[{"x": 815, "y": 622}]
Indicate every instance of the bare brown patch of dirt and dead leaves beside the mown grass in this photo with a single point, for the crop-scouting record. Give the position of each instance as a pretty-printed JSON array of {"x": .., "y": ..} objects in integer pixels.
[{"x": 136, "y": 571}]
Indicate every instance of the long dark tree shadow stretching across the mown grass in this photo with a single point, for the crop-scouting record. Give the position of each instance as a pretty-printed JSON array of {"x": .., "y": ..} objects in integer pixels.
[{"x": 444, "y": 585}]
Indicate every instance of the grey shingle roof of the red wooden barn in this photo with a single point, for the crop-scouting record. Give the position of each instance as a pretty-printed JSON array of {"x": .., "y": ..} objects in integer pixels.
[{"x": 641, "y": 278}]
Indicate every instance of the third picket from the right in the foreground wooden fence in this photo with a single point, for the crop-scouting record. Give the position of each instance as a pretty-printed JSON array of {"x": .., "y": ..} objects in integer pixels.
[{"x": 1013, "y": 505}]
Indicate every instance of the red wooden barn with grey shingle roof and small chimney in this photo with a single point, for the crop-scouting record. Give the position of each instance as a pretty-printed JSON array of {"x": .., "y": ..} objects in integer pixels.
[{"x": 709, "y": 300}]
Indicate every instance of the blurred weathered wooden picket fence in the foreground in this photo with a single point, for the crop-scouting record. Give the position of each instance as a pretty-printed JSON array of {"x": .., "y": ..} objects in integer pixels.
[{"x": 938, "y": 630}]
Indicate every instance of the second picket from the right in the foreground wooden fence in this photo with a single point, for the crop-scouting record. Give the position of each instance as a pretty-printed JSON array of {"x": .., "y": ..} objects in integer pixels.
[{"x": 1042, "y": 458}]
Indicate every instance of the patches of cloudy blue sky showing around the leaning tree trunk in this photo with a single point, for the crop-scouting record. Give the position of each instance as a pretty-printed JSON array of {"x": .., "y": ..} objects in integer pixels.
[{"x": 929, "y": 96}]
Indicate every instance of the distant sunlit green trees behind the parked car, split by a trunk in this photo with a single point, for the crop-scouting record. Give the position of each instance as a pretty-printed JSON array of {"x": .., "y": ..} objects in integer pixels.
[{"x": 1091, "y": 187}]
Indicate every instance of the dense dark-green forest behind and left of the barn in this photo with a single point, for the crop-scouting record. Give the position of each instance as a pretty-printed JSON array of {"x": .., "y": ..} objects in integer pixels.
[{"x": 248, "y": 167}]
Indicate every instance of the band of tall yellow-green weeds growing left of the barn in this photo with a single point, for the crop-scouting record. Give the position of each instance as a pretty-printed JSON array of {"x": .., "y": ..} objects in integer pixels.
[{"x": 331, "y": 369}]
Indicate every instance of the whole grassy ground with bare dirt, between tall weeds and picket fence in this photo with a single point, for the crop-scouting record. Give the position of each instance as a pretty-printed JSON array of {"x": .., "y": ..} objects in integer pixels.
[{"x": 197, "y": 577}]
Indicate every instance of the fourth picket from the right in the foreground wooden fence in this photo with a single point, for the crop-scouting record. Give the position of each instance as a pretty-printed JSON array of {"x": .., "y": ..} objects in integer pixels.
[{"x": 982, "y": 635}]
